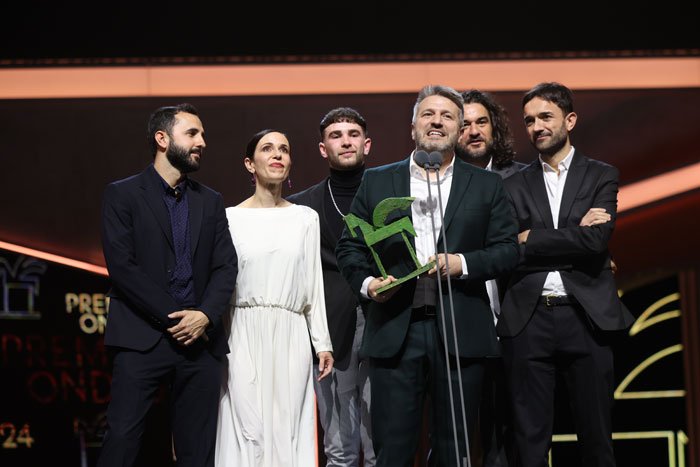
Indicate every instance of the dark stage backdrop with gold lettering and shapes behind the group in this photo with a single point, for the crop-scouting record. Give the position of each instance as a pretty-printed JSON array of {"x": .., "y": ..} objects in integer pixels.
[{"x": 60, "y": 153}]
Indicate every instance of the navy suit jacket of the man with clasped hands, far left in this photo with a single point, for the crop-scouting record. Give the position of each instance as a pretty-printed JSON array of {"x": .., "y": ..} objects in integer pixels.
[{"x": 138, "y": 248}]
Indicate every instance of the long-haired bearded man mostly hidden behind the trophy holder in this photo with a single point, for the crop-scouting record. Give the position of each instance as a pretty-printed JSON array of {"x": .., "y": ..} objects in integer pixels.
[{"x": 486, "y": 141}]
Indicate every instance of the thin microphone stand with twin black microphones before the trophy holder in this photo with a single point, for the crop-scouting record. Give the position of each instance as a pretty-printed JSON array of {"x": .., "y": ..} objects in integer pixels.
[{"x": 433, "y": 162}]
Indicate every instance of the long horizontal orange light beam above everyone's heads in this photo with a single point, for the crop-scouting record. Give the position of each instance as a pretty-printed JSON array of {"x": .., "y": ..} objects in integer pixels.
[{"x": 345, "y": 78}]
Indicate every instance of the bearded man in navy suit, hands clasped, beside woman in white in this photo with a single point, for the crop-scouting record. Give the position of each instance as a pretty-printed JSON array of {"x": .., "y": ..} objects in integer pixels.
[{"x": 173, "y": 268}]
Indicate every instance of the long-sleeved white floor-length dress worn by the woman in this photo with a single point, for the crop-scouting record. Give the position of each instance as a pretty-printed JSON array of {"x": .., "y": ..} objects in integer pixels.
[{"x": 267, "y": 410}]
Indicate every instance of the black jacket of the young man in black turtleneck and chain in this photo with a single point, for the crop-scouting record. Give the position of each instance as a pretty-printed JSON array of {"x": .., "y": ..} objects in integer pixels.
[{"x": 341, "y": 302}]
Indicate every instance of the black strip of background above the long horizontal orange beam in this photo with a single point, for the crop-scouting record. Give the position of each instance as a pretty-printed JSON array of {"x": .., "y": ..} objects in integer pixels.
[{"x": 78, "y": 32}]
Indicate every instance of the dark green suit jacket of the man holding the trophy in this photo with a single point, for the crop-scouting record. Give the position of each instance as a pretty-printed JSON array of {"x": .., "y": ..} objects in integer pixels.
[{"x": 478, "y": 224}]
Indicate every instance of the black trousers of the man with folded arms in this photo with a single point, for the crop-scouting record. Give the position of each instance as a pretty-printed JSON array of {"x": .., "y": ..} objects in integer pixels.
[{"x": 561, "y": 340}]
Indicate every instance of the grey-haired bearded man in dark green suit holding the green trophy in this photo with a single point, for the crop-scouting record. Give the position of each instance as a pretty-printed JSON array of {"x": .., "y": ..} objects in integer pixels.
[{"x": 405, "y": 338}]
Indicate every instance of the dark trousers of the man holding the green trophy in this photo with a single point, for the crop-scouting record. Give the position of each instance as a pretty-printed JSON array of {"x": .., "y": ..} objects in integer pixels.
[{"x": 399, "y": 387}]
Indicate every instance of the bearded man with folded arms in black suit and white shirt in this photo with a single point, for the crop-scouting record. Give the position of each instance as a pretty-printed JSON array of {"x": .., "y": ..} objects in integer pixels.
[{"x": 561, "y": 308}]
